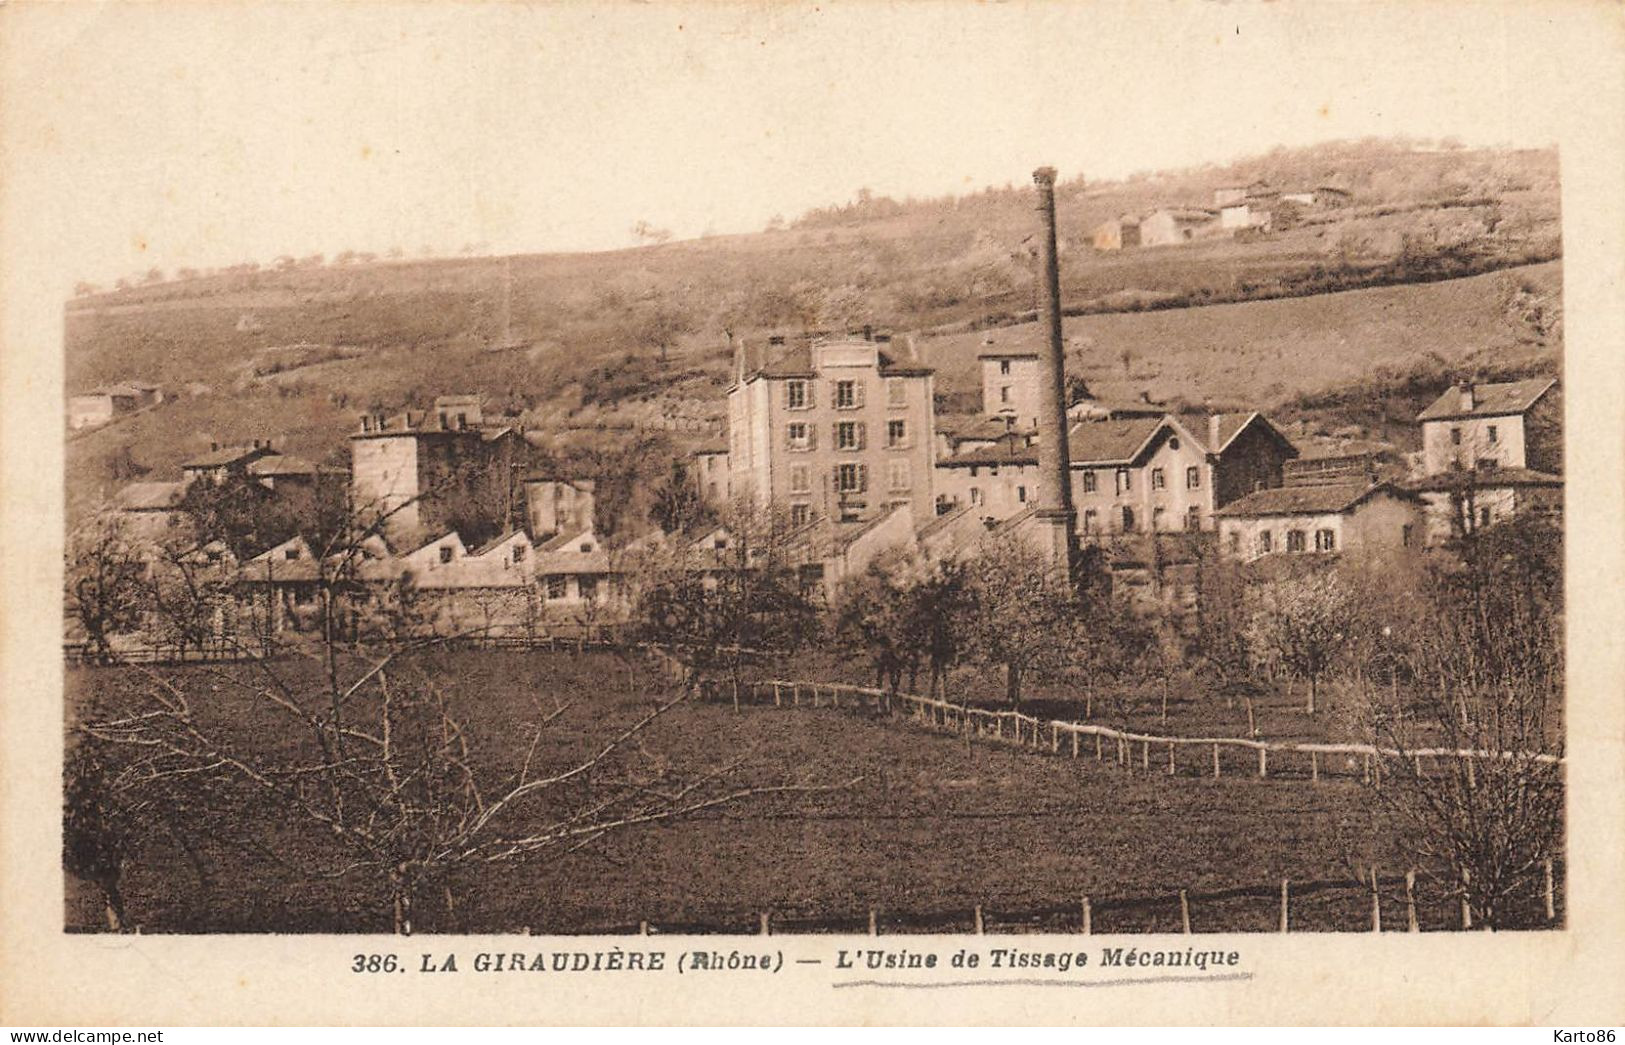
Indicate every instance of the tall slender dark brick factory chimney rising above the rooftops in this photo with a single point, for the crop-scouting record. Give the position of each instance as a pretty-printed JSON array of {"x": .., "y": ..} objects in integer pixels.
[{"x": 1055, "y": 482}]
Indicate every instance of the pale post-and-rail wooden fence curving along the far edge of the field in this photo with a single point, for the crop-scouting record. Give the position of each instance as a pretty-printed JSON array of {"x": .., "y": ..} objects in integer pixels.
[{"x": 1195, "y": 757}]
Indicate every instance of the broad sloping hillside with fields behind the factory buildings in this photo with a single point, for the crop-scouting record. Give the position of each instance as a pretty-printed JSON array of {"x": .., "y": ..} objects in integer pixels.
[{"x": 295, "y": 350}]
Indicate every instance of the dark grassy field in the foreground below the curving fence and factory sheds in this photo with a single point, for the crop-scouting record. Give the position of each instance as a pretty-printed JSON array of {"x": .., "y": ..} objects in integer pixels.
[{"x": 930, "y": 830}]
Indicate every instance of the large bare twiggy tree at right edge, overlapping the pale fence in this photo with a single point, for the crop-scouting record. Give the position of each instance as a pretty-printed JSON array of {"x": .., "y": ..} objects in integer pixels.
[{"x": 1470, "y": 718}]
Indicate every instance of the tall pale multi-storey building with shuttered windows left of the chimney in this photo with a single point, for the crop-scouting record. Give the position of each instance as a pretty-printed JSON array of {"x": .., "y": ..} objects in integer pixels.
[{"x": 838, "y": 430}]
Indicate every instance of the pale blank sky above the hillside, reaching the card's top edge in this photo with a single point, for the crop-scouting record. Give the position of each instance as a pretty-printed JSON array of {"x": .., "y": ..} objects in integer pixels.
[{"x": 202, "y": 136}]
